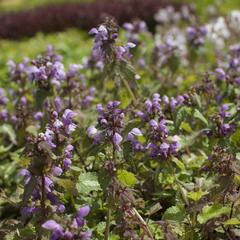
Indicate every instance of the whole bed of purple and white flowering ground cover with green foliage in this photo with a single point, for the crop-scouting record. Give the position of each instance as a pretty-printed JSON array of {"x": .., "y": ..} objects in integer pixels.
[{"x": 138, "y": 140}]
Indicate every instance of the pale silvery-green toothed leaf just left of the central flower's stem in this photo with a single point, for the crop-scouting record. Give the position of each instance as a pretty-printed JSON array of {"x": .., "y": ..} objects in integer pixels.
[{"x": 88, "y": 182}]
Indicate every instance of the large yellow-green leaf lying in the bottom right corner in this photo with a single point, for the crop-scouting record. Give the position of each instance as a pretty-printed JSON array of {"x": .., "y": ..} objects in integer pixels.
[{"x": 213, "y": 211}]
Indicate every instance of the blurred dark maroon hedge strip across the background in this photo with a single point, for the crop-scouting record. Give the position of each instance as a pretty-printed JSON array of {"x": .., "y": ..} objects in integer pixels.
[{"x": 54, "y": 18}]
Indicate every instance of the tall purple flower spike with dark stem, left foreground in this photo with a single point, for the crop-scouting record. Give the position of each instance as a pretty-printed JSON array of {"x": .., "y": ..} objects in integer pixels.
[{"x": 40, "y": 174}]
